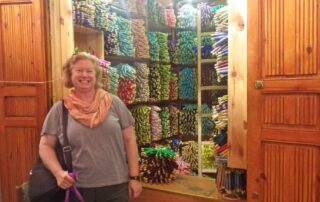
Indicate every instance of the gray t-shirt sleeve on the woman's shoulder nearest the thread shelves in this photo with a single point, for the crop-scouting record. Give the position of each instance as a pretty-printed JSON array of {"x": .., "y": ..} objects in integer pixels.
[{"x": 123, "y": 112}]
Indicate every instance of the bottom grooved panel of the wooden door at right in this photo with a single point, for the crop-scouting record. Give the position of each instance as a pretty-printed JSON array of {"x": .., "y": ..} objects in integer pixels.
[{"x": 293, "y": 165}]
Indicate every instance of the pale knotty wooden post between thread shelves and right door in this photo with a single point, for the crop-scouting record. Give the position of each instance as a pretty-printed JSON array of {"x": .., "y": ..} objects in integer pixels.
[{"x": 237, "y": 84}]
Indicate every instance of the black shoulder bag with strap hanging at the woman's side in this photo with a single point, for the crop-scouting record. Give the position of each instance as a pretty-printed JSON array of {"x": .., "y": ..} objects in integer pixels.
[{"x": 42, "y": 183}]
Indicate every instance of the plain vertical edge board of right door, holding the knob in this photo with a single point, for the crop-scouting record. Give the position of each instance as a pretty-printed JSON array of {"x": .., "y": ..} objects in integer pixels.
[{"x": 254, "y": 118}]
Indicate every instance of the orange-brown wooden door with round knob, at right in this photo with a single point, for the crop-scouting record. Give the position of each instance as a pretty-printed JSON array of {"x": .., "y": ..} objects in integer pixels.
[{"x": 284, "y": 114}]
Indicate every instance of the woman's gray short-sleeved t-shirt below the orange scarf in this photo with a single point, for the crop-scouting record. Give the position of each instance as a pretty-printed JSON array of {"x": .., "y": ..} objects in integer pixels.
[{"x": 98, "y": 154}]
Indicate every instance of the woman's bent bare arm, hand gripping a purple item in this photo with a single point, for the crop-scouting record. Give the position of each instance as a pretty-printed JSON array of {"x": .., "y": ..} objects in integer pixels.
[{"x": 49, "y": 158}]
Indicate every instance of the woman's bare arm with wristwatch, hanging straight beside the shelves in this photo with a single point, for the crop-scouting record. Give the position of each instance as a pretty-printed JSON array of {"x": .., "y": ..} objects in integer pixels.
[{"x": 135, "y": 187}]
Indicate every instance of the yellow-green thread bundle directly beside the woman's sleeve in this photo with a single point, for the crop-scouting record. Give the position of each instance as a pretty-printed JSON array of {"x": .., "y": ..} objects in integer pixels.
[{"x": 141, "y": 115}]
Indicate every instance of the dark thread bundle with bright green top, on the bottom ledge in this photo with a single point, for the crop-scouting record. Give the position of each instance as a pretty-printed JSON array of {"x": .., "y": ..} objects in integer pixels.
[{"x": 158, "y": 165}]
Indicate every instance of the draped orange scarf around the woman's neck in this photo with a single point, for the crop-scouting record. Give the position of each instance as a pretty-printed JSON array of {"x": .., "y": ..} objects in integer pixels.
[{"x": 89, "y": 114}]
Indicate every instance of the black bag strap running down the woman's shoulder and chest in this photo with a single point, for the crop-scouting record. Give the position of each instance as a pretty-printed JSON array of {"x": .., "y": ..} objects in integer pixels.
[{"x": 66, "y": 148}]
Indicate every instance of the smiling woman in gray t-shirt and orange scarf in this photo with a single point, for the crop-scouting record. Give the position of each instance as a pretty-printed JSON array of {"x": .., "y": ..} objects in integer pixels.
[{"x": 100, "y": 132}]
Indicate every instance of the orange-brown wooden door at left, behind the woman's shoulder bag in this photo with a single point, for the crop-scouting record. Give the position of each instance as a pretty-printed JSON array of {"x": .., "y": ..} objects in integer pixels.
[{"x": 23, "y": 95}]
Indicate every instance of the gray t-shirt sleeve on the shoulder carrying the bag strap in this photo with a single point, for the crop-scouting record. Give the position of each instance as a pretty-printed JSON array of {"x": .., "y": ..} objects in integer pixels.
[{"x": 52, "y": 121}]
